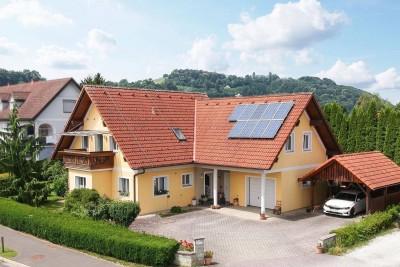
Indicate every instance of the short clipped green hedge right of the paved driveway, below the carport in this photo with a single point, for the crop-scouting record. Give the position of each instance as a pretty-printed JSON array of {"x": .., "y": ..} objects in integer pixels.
[{"x": 358, "y": 232}]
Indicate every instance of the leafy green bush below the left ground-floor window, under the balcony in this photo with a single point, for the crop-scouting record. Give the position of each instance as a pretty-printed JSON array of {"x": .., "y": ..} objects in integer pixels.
[{"x": 80, "y": 198}]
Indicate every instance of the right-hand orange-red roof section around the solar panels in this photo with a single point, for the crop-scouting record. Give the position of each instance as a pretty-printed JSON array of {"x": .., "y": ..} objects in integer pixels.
[{"x": 212, "y": 127}]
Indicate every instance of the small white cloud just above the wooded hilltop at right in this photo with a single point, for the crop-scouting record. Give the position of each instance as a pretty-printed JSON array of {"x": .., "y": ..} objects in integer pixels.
[{"x": 356, "y": 74}]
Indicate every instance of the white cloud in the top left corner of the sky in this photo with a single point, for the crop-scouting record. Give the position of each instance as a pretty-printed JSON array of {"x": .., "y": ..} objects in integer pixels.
[{"x": 32, "y": 13}]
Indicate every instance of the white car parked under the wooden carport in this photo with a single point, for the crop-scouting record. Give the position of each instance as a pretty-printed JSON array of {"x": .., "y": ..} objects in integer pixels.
[{"x": 346, "y": 203}]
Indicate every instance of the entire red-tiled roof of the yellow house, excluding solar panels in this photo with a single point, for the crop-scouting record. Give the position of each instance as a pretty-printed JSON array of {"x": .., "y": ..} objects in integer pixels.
[{"x": 141, "y": 122}]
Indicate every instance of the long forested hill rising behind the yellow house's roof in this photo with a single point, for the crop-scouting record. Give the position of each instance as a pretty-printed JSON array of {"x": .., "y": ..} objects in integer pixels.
[{"x": 221, "y": 85}]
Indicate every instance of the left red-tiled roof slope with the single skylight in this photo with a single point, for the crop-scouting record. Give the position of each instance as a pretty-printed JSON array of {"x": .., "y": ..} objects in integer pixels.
[{"x": 141, "y": 122}]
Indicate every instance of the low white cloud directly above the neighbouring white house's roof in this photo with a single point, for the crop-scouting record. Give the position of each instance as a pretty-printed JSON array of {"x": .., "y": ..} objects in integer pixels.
[{"x": 61, "y": 58}]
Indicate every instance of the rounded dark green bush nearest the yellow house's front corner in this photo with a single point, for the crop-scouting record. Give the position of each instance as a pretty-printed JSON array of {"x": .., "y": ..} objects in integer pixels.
[{"x": 123, "y": 212}]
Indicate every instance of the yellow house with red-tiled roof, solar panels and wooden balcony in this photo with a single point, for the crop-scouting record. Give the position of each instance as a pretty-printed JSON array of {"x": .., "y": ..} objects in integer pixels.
[{"x": 163, "y": 148}]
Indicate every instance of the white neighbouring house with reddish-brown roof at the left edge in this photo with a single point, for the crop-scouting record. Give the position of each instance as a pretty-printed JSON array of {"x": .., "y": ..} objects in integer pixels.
[{"x": 46, "y": 104}]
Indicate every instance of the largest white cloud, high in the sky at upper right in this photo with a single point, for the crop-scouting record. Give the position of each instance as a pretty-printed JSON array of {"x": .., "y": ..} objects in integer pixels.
[{"x": 288, "y": 31}]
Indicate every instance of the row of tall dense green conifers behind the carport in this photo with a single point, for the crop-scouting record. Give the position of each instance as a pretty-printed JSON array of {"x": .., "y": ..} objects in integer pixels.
[{"x": 372, "y": 125}]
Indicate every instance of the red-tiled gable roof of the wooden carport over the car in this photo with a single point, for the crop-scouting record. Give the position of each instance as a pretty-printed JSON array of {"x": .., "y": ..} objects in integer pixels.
[{"x": 373, "y": 169}]
